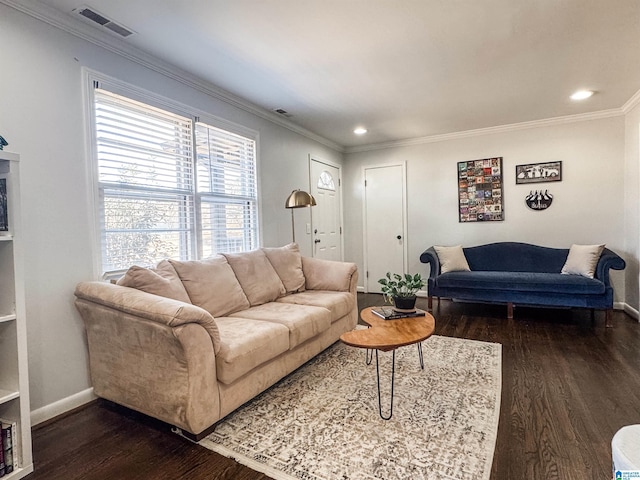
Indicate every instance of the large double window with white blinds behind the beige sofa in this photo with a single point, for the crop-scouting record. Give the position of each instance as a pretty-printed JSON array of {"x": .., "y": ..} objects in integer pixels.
[{"x": 161, "y": 196}]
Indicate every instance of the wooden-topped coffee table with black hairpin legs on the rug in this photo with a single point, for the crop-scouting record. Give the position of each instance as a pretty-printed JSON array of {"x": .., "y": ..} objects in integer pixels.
[{"x": 388, "y": 335}]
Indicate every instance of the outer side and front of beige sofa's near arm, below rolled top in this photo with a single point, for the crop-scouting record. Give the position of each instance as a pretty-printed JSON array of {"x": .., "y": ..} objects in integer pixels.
[{"x": 167, "y": 372}]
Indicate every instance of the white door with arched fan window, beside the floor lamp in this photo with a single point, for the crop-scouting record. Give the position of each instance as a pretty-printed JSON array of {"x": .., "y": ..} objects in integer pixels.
[{"x": 325, "y": 216}]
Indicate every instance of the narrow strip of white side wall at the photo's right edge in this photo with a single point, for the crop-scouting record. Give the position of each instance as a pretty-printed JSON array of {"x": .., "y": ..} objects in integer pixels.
[{"x": 631, "y": 199}]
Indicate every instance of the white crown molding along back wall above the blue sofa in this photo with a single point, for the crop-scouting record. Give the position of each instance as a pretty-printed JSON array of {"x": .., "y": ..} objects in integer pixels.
[{"x": 582, "y": 117}]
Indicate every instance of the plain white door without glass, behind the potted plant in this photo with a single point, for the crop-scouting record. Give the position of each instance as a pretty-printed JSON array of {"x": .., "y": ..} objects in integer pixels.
[{"x": 385, "y": 226}]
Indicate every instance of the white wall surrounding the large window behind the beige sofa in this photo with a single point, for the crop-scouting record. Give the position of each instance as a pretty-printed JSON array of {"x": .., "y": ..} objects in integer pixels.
[{"x": 41, "y": 116}]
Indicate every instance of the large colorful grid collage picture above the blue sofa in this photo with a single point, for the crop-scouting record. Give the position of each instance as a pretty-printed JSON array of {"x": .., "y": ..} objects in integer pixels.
[{"x": 480, "y": 196}]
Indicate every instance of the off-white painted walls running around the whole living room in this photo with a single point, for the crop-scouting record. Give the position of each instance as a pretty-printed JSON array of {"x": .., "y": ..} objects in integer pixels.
[{"x": 41, "y": 115}]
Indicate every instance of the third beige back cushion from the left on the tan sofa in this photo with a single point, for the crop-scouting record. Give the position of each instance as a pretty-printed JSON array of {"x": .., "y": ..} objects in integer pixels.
[{"x": 259, "y": 280}]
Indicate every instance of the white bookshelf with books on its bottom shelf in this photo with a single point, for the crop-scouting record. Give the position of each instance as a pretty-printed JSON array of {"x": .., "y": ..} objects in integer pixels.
[{"x": 14, "y": 375}]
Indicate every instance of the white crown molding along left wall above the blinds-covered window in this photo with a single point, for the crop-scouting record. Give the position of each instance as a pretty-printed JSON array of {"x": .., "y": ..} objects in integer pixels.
[{"x": 78, "y": 29}]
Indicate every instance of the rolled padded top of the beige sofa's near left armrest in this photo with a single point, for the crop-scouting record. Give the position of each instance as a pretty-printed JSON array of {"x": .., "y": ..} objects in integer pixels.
[{"x": 165, "y": 311}]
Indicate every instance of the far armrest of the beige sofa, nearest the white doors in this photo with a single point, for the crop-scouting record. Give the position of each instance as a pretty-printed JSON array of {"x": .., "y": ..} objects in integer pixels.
[{"x": 329, "y": 275}]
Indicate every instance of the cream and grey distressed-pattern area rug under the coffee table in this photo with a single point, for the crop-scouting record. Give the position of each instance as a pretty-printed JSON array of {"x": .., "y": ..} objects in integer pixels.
[{"x": 322, "y": 422}]
